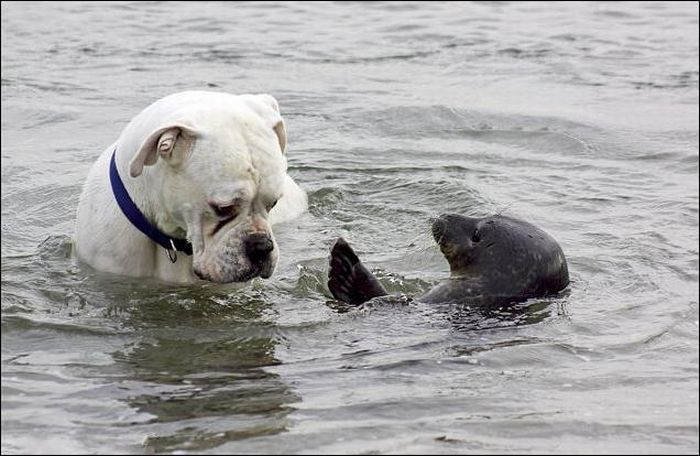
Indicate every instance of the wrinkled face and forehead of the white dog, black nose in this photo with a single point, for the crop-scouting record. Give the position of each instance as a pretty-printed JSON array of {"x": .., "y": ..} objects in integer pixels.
[{"x": 225, "y": 171}]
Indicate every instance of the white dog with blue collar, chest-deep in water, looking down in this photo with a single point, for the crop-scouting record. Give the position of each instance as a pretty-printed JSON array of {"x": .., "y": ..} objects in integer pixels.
[{"x": 189, "y": 189}]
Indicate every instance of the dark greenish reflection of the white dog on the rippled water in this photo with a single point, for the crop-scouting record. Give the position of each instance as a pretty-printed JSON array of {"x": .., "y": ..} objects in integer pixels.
[{"x": 203, "y": 356}]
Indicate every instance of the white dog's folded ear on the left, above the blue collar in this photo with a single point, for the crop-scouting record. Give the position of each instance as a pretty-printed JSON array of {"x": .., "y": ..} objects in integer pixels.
[{"x": 172, "y": 143}]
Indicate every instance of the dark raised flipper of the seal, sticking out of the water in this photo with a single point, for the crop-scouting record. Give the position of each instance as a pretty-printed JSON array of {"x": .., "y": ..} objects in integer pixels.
[{"x": 348, "y": 279}]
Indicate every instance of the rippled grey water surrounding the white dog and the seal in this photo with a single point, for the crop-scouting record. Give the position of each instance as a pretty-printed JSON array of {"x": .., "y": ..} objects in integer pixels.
[{"x": 581, "y": 118}]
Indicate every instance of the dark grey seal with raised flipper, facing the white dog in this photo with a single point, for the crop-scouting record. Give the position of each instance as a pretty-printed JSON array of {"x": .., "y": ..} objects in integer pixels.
[{"x": 493, "y": 260}]
